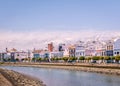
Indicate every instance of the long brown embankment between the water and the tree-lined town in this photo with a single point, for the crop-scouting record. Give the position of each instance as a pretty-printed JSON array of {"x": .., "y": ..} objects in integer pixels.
[{"x": 113, "y": 69}]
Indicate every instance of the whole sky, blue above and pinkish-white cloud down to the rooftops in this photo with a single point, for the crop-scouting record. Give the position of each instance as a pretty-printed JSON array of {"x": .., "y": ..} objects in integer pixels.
[{"x": 34, "y": 23}]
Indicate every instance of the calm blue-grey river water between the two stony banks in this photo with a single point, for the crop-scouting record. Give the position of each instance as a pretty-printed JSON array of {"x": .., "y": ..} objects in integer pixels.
[{"x": 59, "y": 77}]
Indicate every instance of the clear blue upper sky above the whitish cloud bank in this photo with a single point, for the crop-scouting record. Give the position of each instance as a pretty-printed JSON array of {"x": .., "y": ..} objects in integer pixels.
[{"x": 56, "y": 15}]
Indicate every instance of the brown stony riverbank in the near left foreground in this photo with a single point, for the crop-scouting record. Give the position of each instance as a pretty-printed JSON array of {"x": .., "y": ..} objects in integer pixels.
[{"x": 12, "y": 78}]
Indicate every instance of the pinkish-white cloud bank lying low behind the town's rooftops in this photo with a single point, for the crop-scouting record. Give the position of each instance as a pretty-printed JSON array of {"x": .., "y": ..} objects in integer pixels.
[{"x": 40, "y": 39}]
